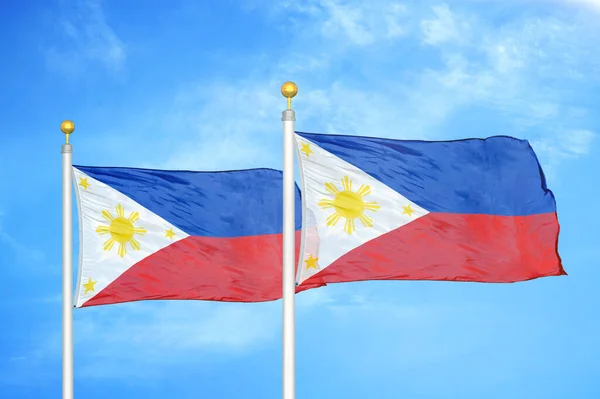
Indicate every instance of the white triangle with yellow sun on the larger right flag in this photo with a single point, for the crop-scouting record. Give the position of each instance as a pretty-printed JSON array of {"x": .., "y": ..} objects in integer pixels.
[{"x": 329, "y": 243}]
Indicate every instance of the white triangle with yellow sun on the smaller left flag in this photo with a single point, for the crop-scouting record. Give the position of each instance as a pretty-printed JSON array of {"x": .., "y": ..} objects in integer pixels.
[{"x": 103, "y": 266}]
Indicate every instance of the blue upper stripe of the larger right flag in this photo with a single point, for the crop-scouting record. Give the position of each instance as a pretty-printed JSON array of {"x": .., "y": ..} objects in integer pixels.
[{"x": 496, "y": 176}]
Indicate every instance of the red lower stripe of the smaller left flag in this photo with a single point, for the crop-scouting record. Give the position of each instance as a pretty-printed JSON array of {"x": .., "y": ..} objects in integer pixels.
[{"x": 243, "y": 269}]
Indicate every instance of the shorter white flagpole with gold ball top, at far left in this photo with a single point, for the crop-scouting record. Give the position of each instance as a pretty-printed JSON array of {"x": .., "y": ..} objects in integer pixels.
[{"x": 67, "y": 127}]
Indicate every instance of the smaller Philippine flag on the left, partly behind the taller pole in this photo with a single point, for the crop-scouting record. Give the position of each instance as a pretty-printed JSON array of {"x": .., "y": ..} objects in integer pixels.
[{"x": 156, "y": 234}]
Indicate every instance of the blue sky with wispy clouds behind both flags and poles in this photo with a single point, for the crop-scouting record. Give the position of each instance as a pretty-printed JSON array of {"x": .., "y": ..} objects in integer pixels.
[{"x": 195, "y": 85}]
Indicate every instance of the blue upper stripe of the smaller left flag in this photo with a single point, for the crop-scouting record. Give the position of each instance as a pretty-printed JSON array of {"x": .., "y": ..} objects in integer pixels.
[{"x": 214, "y": 204}]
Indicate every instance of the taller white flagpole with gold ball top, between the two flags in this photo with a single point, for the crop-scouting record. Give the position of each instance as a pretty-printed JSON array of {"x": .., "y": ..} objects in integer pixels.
[{"x": 289, "y": 90}]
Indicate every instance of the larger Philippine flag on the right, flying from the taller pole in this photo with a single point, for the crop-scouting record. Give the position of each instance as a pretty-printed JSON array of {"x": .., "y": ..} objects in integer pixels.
[{"x": 467, "y": 210}]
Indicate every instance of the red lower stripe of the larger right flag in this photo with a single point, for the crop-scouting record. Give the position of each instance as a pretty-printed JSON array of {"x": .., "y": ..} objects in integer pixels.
[{"x": 454, "y": 247}]
